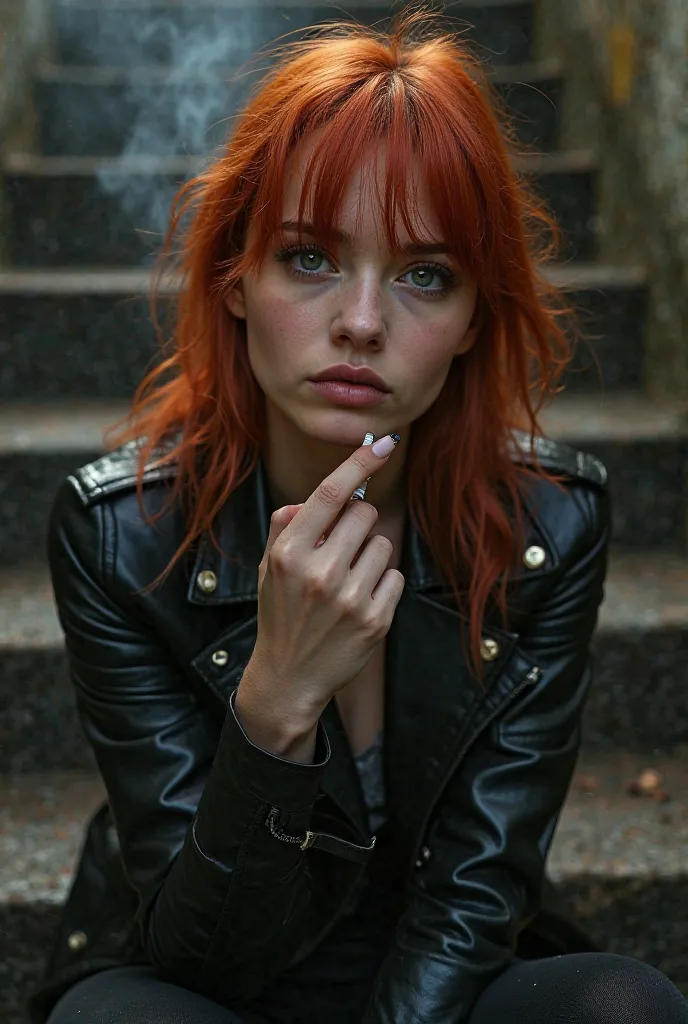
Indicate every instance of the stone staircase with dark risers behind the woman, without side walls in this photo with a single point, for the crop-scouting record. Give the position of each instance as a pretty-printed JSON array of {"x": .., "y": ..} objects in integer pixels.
[{"x": 103, "y": 162}]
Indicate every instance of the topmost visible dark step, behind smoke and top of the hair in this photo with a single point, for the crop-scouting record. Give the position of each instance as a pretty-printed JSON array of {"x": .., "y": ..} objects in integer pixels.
[{"x": 219, "y": 34}]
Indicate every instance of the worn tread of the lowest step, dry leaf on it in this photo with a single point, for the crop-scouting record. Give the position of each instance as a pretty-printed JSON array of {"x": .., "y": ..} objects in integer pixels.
[{"x": 604, "y": 831}]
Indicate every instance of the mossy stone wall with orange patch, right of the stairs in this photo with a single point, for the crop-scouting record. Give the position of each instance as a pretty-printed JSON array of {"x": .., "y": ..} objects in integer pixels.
[{"x": 627, "y": 68}]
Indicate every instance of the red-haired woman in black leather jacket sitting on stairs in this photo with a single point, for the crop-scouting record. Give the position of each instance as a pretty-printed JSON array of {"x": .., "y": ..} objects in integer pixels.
[{"x": 336, "y": 736}]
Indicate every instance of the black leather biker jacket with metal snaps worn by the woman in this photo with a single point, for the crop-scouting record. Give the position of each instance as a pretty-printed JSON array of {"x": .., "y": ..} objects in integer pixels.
[{"x": 181, "y": 868}]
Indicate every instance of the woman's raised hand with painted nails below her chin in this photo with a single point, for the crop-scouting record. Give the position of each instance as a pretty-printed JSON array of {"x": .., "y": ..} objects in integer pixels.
[{"x": 324, "y": 606}]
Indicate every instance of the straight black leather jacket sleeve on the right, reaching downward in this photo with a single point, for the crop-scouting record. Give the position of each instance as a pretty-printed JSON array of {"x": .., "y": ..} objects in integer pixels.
[{"x": 496, "y": 821}]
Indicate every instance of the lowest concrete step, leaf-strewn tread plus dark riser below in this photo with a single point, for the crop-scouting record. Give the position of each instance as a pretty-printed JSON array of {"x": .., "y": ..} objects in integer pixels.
[{"x": 619, "y": 861}]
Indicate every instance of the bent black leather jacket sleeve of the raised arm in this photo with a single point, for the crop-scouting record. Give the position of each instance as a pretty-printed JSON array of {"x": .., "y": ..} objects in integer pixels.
[{"x": 224, "y": 905}]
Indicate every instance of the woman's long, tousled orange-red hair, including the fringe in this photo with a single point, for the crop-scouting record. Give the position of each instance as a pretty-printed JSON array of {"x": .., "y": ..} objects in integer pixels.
[{"x": 426, "y": 95}]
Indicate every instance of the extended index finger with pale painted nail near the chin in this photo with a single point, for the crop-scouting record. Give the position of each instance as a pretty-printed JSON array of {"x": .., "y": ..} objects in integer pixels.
[{"x": 329, "y": 499}]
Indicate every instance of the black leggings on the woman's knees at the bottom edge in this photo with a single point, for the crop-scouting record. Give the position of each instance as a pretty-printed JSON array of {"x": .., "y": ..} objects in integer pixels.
[{"x": 580, "y": 989}]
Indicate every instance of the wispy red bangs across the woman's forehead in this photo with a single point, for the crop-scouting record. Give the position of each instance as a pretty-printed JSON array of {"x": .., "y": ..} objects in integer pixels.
[{"x": 421, "y": 142}]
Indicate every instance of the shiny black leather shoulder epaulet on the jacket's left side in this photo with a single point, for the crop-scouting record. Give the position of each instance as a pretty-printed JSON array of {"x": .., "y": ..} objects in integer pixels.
[{"x": 118, "y": 471}]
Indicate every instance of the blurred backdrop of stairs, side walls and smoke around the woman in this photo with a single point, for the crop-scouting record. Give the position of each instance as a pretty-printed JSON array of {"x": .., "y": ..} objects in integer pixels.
[{"x": 106, "y": 107}]
